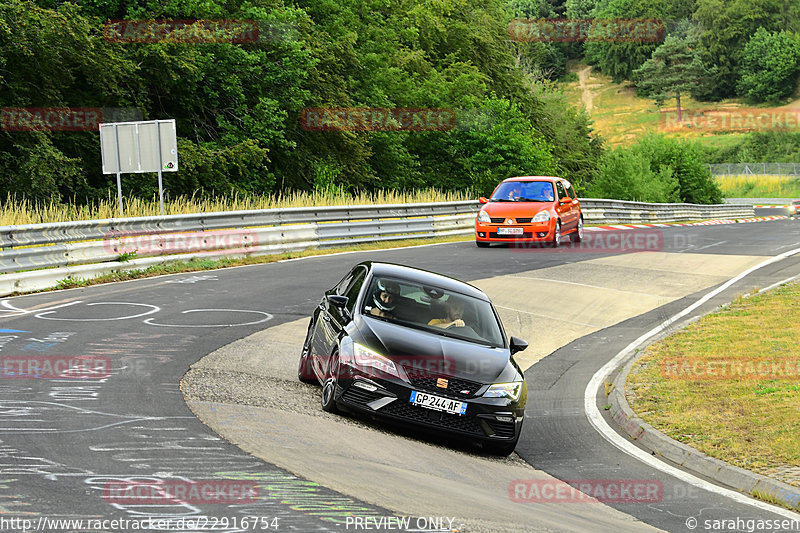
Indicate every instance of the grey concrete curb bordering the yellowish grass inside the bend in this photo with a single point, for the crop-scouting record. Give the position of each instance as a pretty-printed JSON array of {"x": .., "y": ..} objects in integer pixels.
[{"x": 686, "y": 456}]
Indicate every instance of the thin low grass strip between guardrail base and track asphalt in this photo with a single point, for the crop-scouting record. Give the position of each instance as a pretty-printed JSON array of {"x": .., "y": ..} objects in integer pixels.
[{"x": 196, "y": 265}]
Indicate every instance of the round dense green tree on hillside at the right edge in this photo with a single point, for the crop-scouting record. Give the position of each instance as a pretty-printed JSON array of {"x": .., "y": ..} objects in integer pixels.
[{"x": 770, "y": 66}]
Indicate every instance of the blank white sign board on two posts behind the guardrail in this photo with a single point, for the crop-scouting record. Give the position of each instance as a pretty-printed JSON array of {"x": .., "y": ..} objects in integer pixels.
[{"x": 137, "y": 147}]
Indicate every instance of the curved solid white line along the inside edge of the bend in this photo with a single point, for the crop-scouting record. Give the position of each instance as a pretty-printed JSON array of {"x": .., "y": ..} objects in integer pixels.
[{"x": 602, "y": 427}]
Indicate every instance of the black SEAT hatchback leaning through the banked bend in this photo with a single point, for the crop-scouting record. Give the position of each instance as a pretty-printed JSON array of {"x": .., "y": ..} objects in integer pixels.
[{"x": 418, "y": 348}]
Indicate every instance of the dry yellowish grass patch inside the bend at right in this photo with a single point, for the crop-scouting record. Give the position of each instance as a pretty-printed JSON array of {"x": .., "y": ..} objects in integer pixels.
[{"x": 729, "y": 384}]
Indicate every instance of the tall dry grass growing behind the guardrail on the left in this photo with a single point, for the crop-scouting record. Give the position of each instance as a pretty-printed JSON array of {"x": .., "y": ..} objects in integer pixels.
[{"x": 22, "y": 211}]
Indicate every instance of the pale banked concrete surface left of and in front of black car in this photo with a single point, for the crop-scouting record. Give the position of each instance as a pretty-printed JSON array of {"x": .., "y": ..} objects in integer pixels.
[{"x": 248, "y": 393}]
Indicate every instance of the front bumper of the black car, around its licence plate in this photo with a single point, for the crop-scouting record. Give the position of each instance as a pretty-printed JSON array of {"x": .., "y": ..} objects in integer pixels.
[{"x": 485, "y": 420}]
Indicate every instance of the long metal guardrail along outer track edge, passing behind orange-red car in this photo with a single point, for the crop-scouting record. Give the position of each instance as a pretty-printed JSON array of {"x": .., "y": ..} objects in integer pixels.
[{"x": 68, "y": 249}]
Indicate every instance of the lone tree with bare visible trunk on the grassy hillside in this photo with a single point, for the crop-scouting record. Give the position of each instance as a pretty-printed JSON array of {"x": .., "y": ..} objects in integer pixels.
[{"x": 673, "y": 71}]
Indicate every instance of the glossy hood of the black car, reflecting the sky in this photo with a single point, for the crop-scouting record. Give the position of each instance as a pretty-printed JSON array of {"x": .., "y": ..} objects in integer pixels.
[{"x": 436, "y": 354}]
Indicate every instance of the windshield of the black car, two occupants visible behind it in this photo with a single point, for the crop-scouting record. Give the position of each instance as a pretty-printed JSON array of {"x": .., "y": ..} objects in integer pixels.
[{"x": 432, "y": 309}]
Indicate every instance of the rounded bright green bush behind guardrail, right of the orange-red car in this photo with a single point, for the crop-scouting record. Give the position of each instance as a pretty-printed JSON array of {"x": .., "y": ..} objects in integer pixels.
[{"x": 656, "y": 169}]
